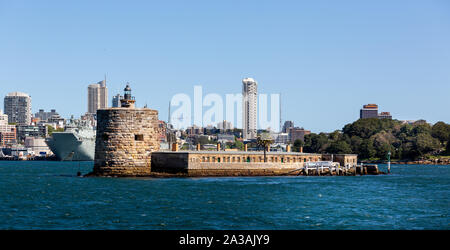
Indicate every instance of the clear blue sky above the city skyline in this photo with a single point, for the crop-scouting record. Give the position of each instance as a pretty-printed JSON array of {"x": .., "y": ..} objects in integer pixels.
[{"x": 327, "y": 58}]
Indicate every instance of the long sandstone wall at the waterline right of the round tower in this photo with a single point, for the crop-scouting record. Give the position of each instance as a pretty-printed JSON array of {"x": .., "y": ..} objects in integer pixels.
[{"x": 196, "y": 164}]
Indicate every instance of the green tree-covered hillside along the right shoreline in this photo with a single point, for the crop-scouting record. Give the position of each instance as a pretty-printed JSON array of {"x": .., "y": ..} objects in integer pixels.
[{"x": 373, "y": 138}]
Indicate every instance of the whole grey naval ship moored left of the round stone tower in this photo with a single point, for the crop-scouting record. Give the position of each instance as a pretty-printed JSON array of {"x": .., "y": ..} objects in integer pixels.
[{"x": 76, "y": 143}]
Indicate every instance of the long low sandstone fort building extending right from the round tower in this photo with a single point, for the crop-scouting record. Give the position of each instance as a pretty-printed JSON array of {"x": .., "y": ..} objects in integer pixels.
[{"x": 241, "y": 163}]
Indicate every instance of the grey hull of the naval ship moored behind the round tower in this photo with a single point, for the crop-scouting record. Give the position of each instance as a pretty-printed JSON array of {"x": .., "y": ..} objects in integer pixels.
[{"x": 67, "y": 147}]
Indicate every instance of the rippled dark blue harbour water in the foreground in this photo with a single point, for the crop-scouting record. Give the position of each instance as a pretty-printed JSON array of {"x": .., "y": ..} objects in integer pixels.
[{"x": 49, "y": 195}]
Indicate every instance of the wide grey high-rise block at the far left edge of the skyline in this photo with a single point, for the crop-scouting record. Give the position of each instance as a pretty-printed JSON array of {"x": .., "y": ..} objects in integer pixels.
[{"x": 18, "y": 108}]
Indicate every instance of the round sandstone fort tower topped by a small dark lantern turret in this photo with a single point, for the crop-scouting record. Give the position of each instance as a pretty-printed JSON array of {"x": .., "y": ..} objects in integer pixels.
[{"x": 126, "y": 136}]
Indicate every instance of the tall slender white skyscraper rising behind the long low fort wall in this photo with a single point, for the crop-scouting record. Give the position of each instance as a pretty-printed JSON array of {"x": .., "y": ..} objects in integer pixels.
[{"x": 249, "y": 109}]
